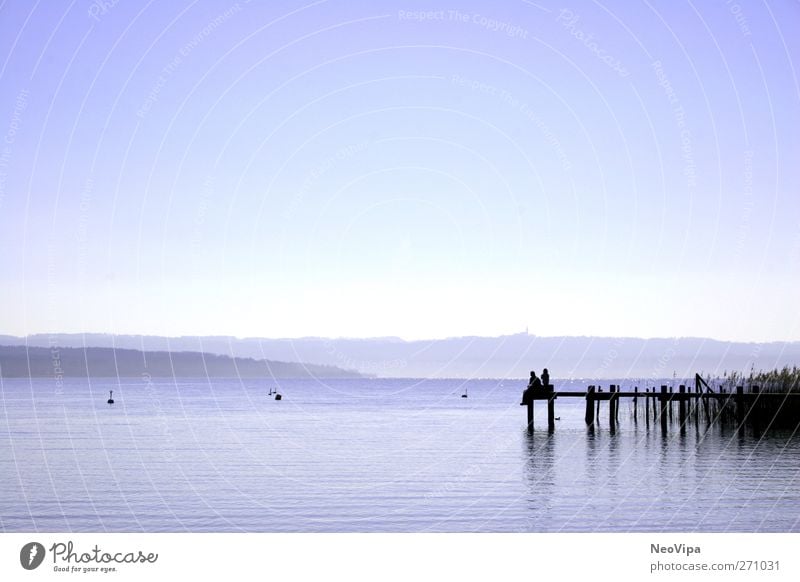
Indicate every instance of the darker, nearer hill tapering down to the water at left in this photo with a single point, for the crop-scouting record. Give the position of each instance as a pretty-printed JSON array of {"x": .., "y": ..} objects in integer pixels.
[{"x": 40, "y": 362}]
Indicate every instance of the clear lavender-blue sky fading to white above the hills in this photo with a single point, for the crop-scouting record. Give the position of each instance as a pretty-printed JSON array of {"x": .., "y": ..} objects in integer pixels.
[{"x": 412, "y": 169}]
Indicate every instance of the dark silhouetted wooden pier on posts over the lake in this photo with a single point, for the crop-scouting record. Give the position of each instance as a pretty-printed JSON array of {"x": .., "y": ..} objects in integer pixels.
[{"x": 661, "y": 402}]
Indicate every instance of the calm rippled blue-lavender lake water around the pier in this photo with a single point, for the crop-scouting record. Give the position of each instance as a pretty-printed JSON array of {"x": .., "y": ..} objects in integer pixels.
[{"x": 368, "y": 455}]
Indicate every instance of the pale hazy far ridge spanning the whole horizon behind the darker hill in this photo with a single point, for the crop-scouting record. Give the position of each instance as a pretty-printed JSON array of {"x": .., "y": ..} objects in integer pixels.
[{"x": 510, "y": 356}]
